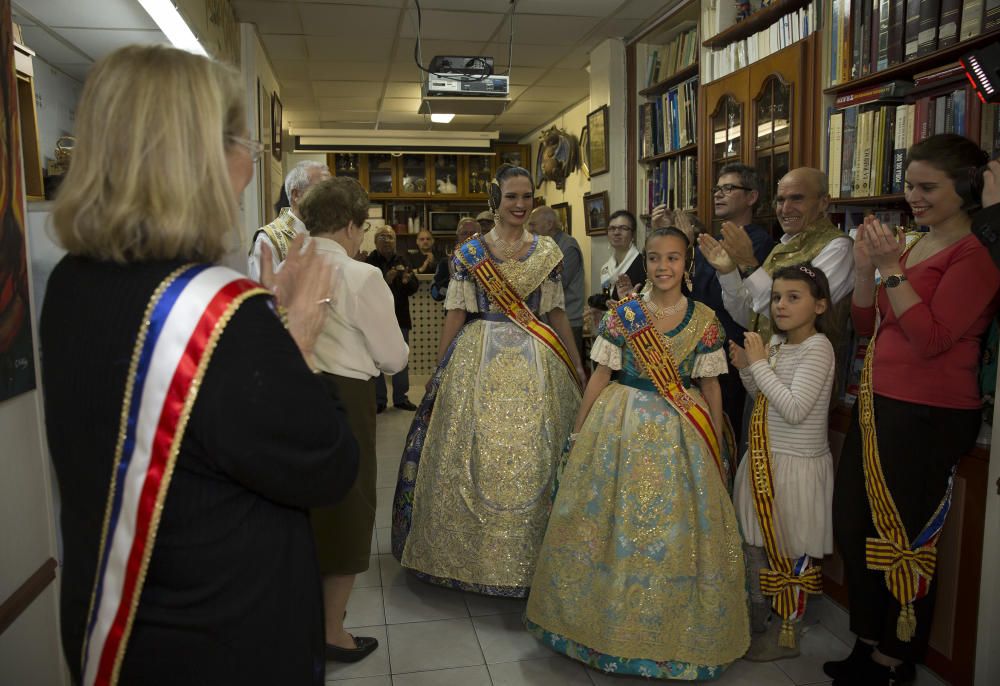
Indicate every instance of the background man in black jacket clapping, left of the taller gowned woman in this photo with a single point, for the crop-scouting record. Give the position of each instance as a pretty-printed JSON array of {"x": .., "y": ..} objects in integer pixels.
[{"x": 403, "y": 283}]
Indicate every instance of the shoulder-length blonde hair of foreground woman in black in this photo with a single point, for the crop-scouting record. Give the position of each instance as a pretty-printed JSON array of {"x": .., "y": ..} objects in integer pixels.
[{"x": 149, "y": 178}]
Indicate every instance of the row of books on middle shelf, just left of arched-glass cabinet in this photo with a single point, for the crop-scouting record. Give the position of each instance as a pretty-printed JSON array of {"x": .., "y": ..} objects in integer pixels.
[{"x": 669, "y": 121}]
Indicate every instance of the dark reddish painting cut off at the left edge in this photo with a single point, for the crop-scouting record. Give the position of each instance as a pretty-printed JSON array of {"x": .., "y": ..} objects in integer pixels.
[{"x": 17, "y": 360}]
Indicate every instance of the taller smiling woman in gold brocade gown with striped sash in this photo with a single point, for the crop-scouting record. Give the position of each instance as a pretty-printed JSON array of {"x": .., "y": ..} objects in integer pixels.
[{"x": 475, "y": 480}]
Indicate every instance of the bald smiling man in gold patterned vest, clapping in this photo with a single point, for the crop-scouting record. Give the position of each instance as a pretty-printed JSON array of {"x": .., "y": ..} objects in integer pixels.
[{"x": 809, "y": 237}]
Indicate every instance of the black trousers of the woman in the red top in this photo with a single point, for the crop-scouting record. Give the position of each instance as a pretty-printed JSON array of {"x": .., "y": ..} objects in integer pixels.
[{"x": 918, "y": 446}]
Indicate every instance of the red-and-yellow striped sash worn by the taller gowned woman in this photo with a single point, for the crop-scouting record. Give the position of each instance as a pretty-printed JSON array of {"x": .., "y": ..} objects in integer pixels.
[{"x": 502, "y": 294}]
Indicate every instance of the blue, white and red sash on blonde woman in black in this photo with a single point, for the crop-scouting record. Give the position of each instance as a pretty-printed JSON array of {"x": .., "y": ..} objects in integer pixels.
[{"x": 180, "y": 328}]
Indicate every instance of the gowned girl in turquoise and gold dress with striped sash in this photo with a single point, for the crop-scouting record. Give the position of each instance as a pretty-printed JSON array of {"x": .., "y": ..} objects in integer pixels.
[{"x": 641, "y": 571}]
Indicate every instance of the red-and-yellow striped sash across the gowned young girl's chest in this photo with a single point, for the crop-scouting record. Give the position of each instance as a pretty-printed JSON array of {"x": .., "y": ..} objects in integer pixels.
[{"x": 649, "y": 347}]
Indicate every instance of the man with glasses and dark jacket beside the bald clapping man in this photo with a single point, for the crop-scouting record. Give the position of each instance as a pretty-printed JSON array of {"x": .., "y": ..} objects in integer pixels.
[{"x": 735, "y": 197}]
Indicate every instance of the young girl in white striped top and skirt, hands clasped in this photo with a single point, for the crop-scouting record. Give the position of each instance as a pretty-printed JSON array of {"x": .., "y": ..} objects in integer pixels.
[{"x": 785, "y": 481}]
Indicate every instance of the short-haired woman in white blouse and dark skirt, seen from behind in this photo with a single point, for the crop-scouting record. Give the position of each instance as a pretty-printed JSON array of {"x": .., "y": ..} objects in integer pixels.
[{"x": 360, "y": 340}]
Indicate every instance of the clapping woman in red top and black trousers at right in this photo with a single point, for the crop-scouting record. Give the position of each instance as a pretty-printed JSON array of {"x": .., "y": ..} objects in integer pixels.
[{"x": 935, "y": 300}]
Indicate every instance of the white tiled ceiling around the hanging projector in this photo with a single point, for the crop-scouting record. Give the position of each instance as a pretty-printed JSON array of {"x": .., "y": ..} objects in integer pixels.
[{"x": 350, "y": 64}]
